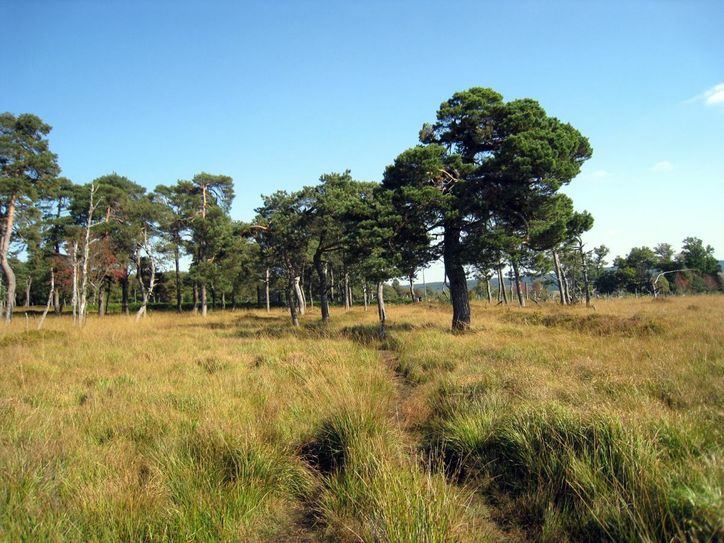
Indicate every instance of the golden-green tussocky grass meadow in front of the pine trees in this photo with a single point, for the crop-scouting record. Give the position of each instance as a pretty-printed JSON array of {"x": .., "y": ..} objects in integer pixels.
[{"x": 542, "y": 423}]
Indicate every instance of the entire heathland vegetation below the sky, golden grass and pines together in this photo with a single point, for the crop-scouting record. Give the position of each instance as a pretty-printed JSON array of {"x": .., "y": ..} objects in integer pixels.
[{"x": 582, "y": 417}]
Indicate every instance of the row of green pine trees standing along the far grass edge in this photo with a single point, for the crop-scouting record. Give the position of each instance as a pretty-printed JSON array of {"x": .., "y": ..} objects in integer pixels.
[{"x": 481, "y": 191}]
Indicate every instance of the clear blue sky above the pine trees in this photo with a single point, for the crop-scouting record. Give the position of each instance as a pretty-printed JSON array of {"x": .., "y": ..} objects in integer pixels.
[{"x": 276, "y": 93}]
